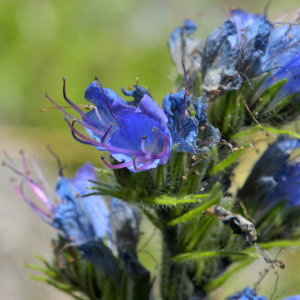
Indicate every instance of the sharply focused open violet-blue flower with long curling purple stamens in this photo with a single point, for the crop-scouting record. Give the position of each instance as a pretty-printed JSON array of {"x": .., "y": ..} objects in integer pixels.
[{"x": 135, "y": 136}]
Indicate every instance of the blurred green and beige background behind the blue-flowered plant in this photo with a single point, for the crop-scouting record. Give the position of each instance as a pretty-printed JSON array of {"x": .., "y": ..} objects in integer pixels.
[{"x": 44, "y": 40}]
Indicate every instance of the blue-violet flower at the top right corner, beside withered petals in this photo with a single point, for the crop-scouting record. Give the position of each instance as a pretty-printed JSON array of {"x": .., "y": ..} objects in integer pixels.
[{"x": 265, "y": 47}]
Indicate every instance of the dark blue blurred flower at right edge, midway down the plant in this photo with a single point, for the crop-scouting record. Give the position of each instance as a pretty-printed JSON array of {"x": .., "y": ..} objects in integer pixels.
[{"x": 274, "y": 177}]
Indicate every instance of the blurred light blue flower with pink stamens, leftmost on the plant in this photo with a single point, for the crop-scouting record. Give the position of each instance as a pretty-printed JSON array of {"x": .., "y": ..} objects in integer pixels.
[{"x": 79, "y": 219}]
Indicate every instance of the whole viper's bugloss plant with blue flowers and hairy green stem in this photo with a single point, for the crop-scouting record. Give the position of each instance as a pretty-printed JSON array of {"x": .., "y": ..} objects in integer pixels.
[{"x": 173, "y": 165}]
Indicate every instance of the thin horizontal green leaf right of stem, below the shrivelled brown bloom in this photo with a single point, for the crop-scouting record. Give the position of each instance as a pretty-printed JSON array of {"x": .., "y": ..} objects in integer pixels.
[{"x": 198, "y": 255}]
